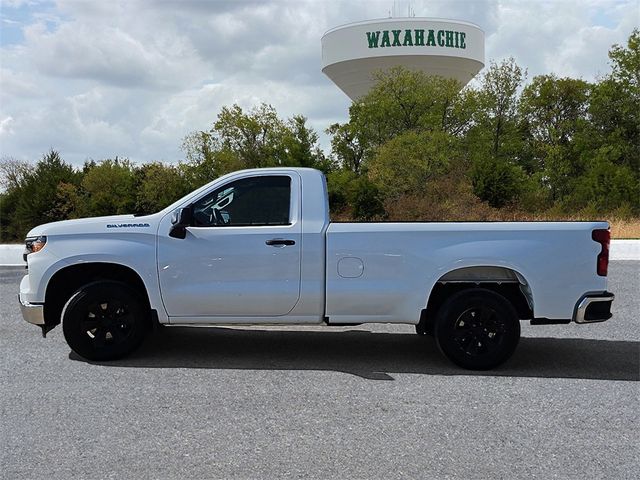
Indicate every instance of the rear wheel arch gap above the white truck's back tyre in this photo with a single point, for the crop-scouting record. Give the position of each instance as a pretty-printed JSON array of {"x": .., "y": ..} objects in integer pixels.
[{"x": 505, "y": 281}]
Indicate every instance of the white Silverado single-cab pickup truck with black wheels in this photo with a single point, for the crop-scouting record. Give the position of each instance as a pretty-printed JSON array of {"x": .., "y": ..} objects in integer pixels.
[{"x": 257, "y": 247}]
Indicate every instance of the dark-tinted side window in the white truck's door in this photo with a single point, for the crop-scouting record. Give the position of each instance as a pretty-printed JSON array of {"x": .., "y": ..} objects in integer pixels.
[{"x": 251, "y": 201}]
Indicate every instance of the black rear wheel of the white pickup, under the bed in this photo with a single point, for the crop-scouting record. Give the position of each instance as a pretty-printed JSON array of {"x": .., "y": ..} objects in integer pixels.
[{"x": 477, "y": 329}]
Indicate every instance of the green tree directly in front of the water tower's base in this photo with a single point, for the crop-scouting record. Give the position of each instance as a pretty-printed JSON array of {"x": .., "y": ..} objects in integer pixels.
[{"x": 400, "y": 136}]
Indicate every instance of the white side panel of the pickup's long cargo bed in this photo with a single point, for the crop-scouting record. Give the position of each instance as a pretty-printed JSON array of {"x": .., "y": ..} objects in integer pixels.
[{"x": 373, "y": 268}]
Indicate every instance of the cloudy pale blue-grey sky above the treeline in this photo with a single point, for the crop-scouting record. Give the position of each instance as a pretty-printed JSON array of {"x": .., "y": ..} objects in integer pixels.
[{"x": 95, "y": 79}]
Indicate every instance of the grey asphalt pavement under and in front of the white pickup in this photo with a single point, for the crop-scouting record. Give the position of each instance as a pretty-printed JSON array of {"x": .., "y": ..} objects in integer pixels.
[{"x": 355, "y": 402}]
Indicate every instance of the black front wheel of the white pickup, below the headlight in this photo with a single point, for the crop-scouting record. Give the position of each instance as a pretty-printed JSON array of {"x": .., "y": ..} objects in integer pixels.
[{"x": 104, "y": 321}]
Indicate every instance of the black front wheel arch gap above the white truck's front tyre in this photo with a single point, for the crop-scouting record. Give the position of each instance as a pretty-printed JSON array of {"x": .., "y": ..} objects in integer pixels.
[{"x": 68, "y": 280}]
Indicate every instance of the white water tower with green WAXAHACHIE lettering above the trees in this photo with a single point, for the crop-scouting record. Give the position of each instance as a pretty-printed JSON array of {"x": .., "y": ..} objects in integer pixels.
[{"x": 352, "y": 53}]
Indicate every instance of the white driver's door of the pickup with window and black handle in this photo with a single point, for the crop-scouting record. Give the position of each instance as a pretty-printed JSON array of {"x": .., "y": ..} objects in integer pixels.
[{"x": 241, "y": 255}]
